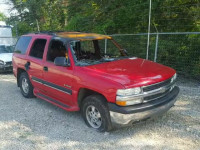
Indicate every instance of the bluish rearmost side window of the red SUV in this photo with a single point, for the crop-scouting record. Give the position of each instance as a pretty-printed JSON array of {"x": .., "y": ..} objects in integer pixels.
[{"x": 22, "y": 44}]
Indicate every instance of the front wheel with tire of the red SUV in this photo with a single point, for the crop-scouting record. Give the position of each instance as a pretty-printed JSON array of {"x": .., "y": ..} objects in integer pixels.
[{"x": 93, "y": 109}]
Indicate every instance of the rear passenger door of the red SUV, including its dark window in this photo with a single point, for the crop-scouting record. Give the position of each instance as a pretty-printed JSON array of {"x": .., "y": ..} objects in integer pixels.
[{"x": 35, "y": 62}]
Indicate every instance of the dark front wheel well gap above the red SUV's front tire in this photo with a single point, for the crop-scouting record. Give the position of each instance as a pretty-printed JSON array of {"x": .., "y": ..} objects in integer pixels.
[{"x": 83, "y": 93}]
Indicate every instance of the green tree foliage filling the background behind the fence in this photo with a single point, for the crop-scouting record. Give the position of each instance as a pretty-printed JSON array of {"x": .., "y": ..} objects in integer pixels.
[{"x": 121, "y": 16}]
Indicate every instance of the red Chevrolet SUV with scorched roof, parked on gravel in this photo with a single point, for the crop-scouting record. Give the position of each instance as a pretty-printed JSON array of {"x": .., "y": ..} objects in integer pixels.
[{"x": 94, "y": 74}]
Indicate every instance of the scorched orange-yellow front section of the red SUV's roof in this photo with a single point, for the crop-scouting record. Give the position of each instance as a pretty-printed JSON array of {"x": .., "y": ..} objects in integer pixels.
[{"x": 82, "y": 36}]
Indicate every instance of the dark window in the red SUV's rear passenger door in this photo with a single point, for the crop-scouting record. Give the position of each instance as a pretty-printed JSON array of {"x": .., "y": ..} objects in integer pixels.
[{"x": 37, "y": 49}]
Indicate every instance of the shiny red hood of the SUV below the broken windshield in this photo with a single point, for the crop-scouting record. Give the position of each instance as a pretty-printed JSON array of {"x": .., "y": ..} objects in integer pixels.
[{"x": 133, "y": 72}]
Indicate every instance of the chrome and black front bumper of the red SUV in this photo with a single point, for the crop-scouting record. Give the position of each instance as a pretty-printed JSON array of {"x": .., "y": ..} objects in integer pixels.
[{"x": 123, "y": 116}]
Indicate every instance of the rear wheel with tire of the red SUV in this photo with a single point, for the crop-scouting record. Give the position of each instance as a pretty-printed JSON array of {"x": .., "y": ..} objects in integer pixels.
[{"x": 25, "y": 85}]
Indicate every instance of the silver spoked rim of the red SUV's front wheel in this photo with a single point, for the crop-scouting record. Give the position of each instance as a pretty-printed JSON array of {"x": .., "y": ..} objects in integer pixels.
[{"x": 93, "y": 116}]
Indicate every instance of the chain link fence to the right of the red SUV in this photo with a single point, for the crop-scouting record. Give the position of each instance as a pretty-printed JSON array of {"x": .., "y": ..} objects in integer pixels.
[{"x": 180, "y": 51}]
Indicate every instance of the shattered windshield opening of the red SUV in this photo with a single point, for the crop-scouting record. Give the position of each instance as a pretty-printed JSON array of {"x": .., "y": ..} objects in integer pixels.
[{"x": 92, "y": 52}]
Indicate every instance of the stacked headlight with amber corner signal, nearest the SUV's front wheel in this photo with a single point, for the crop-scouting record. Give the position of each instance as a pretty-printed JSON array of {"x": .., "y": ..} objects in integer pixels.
[{"x": 126, "y": 97}]
